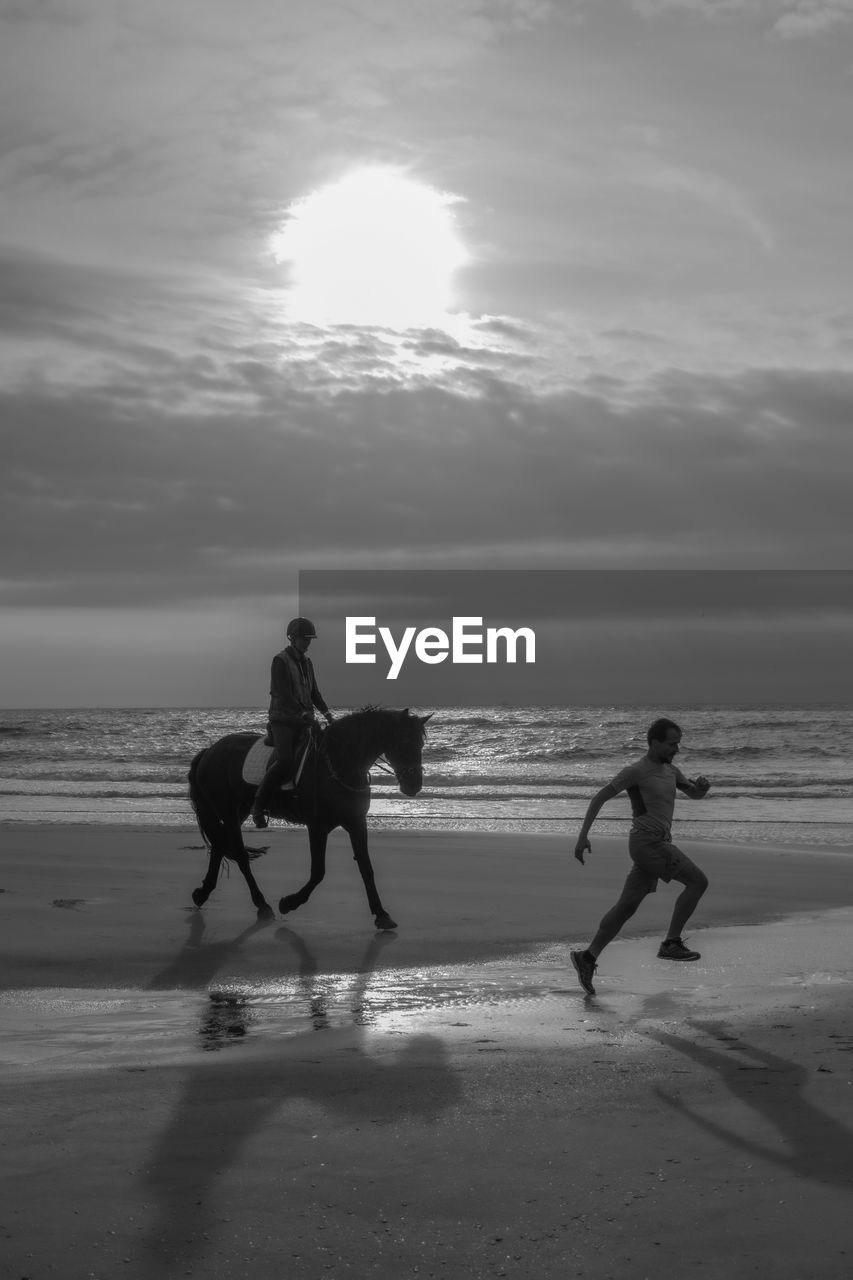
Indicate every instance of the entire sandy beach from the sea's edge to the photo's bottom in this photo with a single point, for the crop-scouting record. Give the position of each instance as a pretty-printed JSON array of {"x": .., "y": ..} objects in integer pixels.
[{"x": 193, "y": 1094}]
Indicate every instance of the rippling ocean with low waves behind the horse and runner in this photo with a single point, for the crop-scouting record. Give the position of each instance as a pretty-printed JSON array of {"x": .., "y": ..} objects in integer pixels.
[{"x": 779, "y": 775}]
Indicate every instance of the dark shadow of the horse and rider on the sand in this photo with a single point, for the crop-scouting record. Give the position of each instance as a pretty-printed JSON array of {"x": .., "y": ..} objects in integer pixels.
[{"x": 230, "y": 1100}]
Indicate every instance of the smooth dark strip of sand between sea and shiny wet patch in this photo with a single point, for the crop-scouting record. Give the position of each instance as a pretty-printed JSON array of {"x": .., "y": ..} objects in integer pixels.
[{"x": 107, "y": 907}]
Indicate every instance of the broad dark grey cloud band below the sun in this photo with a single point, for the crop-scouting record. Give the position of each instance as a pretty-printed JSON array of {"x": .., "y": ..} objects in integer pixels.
[{"x": 115, "y": 505}]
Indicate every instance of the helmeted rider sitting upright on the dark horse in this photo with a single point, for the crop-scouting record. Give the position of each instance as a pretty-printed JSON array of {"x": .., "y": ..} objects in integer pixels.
[{"x": 294, "y": 696}]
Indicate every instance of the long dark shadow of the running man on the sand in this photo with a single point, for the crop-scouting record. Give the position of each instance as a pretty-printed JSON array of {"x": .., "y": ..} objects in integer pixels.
[{"x": 773, "y": 1087}]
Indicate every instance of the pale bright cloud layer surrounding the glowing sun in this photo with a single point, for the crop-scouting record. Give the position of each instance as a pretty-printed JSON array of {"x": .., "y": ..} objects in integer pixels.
[{"x": 171, "y": 164}]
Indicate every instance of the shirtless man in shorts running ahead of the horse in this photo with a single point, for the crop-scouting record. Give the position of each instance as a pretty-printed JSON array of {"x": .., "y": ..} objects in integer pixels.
[{"x": 651, "y": 785}]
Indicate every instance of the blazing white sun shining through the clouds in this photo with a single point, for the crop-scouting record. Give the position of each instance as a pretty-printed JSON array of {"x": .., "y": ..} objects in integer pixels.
[{"x": 373, "y": 249}]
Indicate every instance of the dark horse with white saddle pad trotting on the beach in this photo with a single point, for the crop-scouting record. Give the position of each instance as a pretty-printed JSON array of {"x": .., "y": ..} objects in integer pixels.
[{"x": 334, "y": 792}]
